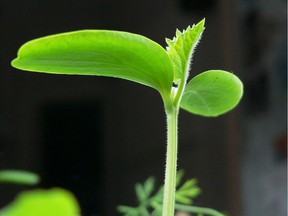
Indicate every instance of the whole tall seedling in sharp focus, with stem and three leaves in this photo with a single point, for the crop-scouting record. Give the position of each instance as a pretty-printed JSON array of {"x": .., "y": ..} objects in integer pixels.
[{"x": 136, "y": 58}]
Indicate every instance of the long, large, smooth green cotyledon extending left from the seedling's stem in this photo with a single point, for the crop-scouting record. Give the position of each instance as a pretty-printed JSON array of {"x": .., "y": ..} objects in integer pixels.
[{"x": 99, "y": 52}]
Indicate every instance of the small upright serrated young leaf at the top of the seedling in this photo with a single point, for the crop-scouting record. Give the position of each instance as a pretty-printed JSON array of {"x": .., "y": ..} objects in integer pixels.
[{"x": 181, "y": 49}]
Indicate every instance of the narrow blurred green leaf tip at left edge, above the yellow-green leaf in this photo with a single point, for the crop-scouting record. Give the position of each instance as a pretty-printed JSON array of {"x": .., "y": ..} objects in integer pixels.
[{"x": 18, "y": 177}]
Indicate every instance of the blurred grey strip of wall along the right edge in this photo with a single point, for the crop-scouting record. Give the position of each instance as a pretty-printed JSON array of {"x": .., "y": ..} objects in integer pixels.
[{"x": 264, "y": 65}]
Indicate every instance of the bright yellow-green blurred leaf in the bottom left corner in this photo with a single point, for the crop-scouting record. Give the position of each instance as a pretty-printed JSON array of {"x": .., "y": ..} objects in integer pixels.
[{"x": 53, "y": 202}]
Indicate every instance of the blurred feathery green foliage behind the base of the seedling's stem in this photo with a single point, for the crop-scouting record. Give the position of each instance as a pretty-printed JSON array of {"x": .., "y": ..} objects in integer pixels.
[{"x": 150, "y": 200}]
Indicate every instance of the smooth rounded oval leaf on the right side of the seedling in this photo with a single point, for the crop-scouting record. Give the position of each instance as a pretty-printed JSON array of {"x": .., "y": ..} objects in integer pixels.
[{"x": 212, "y": 93}]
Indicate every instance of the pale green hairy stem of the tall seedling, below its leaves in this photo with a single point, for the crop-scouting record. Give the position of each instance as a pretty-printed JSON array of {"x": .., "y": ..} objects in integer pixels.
[{"x": 171, "y": 162}]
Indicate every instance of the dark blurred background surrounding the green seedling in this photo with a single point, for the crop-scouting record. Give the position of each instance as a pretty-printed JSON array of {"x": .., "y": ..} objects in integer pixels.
[{"x": 99, "y": 136}]
